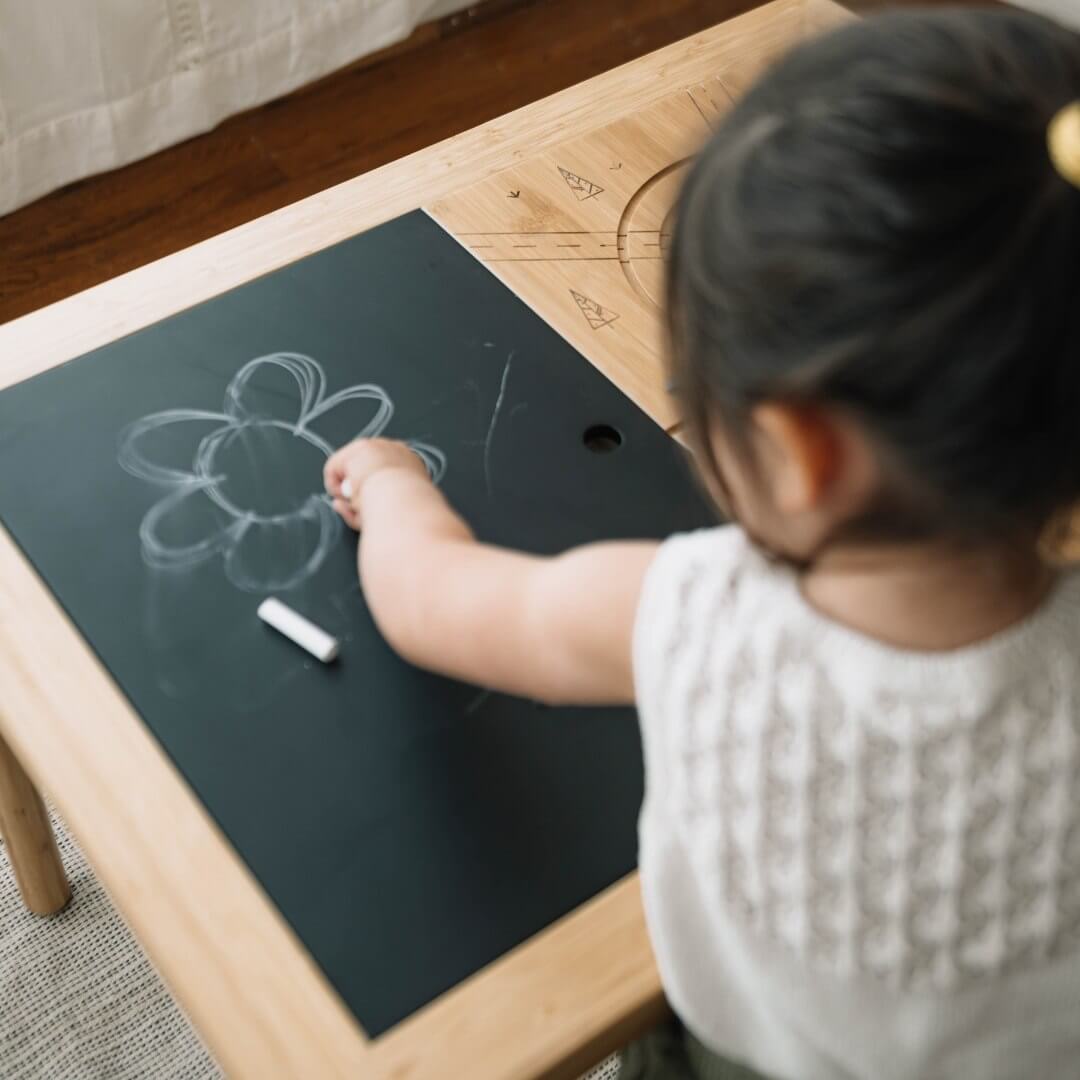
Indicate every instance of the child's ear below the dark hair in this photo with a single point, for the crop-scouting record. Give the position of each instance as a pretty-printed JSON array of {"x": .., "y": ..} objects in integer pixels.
[{"x": 804, "y": 450}]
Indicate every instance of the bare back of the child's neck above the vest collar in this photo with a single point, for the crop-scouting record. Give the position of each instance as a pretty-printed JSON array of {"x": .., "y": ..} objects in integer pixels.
[{"x": 927, "y": 597}]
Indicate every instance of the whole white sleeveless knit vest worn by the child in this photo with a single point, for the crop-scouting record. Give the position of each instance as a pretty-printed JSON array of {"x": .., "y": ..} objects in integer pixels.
[{"x": 858, "y": 861}]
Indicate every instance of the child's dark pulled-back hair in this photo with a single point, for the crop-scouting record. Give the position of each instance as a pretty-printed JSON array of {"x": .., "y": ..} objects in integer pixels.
[{"x": 879, "y": 228}]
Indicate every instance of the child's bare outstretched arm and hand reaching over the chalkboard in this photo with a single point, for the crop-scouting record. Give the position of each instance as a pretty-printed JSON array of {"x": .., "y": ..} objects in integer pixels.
[{"x": 557, "y": 630}]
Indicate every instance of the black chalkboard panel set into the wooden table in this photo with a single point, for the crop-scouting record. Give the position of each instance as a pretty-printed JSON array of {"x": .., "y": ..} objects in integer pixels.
[{"x": 410, "y": 829}]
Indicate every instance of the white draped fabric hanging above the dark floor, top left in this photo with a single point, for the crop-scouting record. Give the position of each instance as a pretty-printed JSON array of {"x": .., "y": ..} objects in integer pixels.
[{"x": 87, "y": 86}]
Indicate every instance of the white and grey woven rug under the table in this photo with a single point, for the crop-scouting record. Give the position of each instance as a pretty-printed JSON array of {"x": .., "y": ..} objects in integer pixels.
[{"x": 79, "y": 1000}]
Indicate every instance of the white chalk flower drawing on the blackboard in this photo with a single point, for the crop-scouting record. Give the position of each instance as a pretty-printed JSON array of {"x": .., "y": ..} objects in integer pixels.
[{"x": 254, "y": 488}]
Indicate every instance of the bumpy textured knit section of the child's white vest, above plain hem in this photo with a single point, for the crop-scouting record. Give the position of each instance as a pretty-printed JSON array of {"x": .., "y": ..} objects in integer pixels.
[{"x": 915, "y": 818}]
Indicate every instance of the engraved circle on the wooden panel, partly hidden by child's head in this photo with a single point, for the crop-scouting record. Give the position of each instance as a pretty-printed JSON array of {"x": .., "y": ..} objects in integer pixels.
[{"x": 645, "y": 232}]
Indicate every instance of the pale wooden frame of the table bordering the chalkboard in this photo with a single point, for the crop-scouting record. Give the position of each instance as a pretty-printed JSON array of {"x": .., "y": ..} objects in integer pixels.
[{"x": 550, "y": 1008}]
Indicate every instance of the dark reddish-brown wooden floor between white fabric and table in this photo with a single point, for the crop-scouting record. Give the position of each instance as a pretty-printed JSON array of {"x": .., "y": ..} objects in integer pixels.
[{"x": 451, "y": 78}]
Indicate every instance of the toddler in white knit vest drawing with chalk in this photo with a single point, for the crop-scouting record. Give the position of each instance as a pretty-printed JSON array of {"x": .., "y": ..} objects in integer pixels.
[{"x": 860, "y": 706}]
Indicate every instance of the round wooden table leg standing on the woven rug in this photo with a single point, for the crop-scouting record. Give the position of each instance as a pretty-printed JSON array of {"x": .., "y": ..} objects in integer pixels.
[{"x": 29, "y": 835}]
